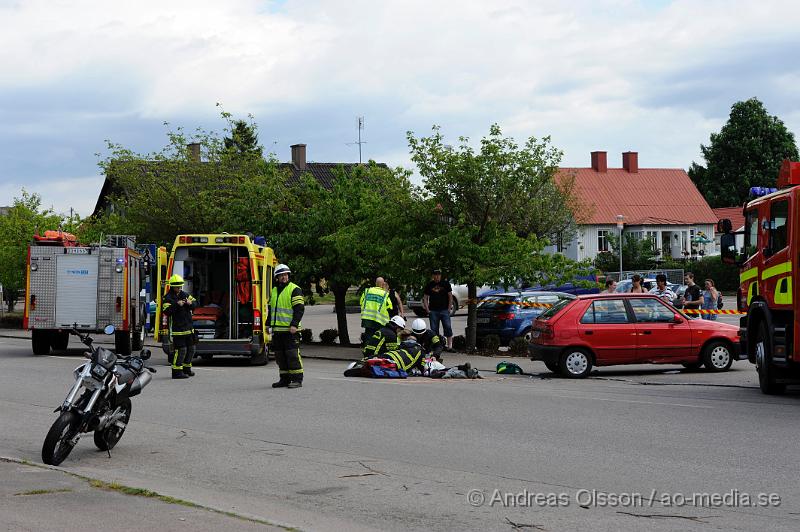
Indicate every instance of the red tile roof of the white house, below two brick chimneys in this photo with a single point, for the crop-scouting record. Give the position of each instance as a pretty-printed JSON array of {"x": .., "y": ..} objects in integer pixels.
[{"x": 651, "y": 196}]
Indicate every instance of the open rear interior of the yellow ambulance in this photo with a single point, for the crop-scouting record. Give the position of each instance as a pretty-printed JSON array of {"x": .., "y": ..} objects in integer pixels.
[{"x": 224, "y": 311}]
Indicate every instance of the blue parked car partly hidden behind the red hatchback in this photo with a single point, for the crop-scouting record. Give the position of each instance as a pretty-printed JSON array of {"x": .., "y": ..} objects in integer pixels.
[{"x": 510, "y": 315}]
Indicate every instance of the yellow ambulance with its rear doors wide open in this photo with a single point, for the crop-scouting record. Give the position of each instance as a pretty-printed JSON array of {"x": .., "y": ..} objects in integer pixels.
[{"x": 231, "y": 278}]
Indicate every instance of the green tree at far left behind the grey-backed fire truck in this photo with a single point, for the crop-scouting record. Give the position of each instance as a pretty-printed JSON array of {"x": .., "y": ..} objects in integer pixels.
[{"x": 24, "y": 219}]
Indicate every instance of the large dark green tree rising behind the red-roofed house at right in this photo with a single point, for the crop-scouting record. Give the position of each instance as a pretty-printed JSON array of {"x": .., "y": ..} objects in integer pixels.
[{"x": 747, "y": 152}]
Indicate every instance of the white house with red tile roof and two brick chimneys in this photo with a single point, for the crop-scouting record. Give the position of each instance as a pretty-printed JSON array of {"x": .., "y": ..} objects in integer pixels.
[{"x": 661, "y": 204}]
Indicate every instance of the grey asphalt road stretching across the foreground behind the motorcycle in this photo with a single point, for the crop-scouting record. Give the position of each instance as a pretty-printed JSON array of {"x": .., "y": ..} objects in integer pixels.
[{"x": 438, "y": 455}]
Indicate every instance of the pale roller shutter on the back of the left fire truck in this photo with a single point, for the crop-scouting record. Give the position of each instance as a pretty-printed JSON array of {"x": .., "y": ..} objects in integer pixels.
[{"x": 77, "y": 290}]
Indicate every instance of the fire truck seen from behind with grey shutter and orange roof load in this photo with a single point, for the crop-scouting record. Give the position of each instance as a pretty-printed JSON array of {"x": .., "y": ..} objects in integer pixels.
[{"x": 84, "y": 286}]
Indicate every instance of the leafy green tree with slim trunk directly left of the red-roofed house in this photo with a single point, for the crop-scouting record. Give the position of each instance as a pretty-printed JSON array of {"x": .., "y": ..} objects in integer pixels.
[{"x": 487, "y": 215}]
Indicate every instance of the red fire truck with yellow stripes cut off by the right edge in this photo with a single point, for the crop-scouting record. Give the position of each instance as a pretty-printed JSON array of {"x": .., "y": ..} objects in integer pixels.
[{"x": 769, "y": 266}]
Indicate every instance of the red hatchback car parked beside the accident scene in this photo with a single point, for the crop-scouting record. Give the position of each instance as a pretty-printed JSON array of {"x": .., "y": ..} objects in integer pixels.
[{"x": 610, "y": 329}]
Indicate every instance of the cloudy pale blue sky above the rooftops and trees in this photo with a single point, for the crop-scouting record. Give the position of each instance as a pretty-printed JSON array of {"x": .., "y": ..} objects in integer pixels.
[{"x": 652, "y": 76}]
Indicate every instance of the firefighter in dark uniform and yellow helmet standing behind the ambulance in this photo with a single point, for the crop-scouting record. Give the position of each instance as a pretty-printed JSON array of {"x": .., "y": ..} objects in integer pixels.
[{"x": 178, "y": 306}]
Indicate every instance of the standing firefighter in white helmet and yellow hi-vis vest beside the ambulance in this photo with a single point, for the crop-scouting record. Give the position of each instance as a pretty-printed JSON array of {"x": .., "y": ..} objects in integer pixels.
[{"x": 286, "y": 307}]
